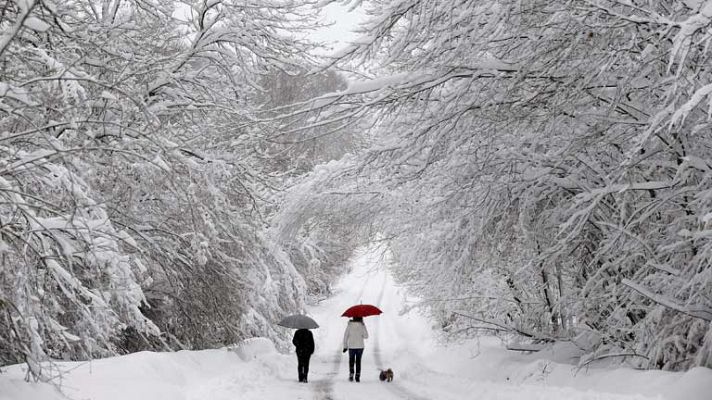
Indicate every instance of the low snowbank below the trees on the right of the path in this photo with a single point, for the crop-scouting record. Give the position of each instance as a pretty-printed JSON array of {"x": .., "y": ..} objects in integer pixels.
[{"x": 487, "y": 359}]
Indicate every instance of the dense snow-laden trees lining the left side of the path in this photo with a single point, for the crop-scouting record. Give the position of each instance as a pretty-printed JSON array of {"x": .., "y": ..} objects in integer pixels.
[{"x": 131, "y": 192}]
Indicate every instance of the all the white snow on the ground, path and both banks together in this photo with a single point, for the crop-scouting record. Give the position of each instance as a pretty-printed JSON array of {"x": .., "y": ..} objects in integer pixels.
[{"x": 424, "y": 369}]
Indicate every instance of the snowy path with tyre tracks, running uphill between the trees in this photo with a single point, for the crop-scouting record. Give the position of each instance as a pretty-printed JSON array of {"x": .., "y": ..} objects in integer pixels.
[{"x": 367, "y": 283}]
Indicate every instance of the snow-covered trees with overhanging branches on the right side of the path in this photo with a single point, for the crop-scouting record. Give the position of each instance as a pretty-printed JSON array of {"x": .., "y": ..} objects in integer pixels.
[{"x": 551, "y": 158}]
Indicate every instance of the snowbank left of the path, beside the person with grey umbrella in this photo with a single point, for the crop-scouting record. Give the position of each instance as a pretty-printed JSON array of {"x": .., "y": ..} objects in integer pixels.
[{"x": 241, "y": 372}]
